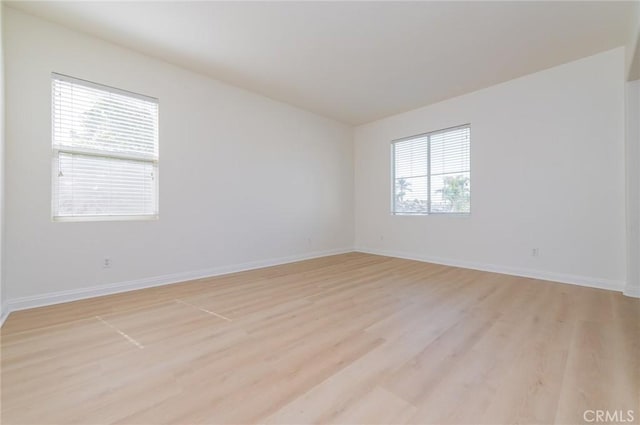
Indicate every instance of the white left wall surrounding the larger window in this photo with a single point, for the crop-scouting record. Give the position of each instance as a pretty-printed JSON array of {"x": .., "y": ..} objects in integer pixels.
[{"x": 244, "y": 180}]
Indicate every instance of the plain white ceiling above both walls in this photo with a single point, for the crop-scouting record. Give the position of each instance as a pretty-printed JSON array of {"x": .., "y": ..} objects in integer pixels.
[{"x": 354, "y": 61}]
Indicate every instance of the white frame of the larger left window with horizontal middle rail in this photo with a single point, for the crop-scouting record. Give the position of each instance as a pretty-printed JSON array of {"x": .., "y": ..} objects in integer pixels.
[{"x": 57, "y": 150}]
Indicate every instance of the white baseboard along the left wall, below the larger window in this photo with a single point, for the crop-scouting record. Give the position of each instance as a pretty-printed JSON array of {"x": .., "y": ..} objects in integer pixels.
[{"x": 42, "y": 300}]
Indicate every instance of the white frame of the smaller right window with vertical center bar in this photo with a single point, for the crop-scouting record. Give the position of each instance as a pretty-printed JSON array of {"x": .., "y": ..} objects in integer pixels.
[{"x": 428, "y": 135}]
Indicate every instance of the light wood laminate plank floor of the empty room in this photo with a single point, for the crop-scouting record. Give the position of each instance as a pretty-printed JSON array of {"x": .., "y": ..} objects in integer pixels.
[{"x": 353, "y": 338}]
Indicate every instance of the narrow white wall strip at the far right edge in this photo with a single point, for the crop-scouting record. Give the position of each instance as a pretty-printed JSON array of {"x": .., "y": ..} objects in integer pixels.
[{"x": 633, "y": 188}]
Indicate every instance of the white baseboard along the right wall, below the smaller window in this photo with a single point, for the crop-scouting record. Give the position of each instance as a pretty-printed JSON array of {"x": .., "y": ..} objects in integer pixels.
[{"x": 611, "y": 285}]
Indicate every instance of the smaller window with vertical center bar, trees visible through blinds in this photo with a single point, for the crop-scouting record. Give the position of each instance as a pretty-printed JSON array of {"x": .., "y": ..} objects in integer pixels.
[{"x": 431, "y": 173}]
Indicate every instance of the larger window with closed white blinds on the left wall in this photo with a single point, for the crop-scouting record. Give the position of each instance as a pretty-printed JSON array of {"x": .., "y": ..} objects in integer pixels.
[{"x": 105, "y": 152}]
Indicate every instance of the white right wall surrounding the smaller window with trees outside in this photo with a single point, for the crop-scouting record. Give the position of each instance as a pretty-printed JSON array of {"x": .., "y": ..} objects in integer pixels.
[{"x": 547, "y": 165}]
